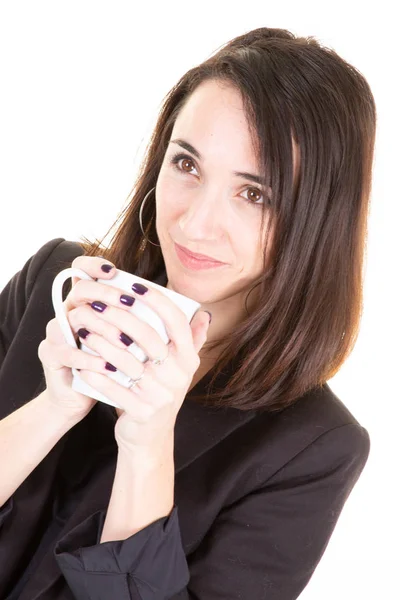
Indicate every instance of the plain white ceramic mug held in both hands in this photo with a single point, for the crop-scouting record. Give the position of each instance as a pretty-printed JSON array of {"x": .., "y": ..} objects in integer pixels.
[{"x": 123, "y": 281}]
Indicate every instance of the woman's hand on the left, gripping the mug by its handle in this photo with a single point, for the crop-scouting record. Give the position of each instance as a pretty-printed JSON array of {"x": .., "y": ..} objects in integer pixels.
[{"x": 58, "y": 357}]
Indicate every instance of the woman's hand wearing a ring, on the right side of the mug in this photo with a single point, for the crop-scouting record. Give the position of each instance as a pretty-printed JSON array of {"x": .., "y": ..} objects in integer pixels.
[{"x": 150, "y": 407}]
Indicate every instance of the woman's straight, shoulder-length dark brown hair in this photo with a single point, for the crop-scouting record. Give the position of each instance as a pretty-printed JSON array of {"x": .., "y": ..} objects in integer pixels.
[{"x": 307, "y": 316}]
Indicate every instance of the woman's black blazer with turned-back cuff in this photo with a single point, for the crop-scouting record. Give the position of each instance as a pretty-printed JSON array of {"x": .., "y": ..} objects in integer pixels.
[{"x": 257, "y": 496}]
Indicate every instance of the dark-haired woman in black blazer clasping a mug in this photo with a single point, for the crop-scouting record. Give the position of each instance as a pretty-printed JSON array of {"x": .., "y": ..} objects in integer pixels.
[{"x": 225, "y": 469}]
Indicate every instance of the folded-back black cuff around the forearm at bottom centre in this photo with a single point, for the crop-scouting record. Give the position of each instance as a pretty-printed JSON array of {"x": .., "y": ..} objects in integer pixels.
[{"x": 149, "y": 564}]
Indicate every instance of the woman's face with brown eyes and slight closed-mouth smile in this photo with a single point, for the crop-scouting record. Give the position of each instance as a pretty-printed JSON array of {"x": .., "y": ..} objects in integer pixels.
[{"x": 202, "y": 205}]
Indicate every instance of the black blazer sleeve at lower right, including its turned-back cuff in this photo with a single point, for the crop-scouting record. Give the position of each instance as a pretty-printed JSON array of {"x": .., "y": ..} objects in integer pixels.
[{"x": 266, "y": 545}]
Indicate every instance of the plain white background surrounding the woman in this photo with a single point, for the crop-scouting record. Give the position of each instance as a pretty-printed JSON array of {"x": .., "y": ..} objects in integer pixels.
[{"x": 81, "y": 84}]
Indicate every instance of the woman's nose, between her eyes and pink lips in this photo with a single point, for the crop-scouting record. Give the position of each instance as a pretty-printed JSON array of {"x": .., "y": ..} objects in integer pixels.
[{"x": 204, "y": 215}]
